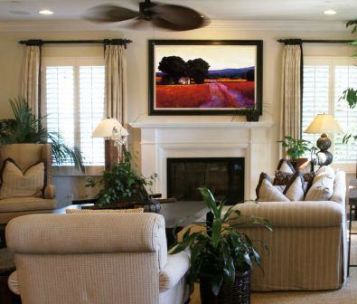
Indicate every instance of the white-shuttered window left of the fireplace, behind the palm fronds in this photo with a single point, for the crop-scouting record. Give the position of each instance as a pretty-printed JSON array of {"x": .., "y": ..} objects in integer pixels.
[{"x": 74, "y": 102}]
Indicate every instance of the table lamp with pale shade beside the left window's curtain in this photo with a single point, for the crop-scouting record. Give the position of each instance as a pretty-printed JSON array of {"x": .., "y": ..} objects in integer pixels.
[{"x": 115, "y": 135}]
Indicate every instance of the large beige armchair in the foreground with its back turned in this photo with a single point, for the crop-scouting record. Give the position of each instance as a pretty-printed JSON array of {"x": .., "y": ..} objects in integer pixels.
[{"x": 95, "y": 258}]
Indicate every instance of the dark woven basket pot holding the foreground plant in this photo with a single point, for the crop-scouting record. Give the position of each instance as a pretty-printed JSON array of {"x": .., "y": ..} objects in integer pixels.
[{"x": 237, "y": 293}]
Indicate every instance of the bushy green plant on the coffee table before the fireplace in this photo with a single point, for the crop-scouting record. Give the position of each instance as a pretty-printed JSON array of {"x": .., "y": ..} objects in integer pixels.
[{"x": 121, "y": 185}]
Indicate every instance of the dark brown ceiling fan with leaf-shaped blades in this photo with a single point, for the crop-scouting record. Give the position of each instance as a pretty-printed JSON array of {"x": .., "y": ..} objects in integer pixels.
[{"x": 167, "y": 16}]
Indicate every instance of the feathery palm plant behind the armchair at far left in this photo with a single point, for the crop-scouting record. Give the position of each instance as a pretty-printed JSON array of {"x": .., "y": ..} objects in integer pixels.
[{"x": 26, "y": 128}]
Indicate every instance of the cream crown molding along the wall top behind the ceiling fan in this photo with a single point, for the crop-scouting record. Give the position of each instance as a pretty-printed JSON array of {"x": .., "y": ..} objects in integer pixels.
[{"x": 237, "y": 25}]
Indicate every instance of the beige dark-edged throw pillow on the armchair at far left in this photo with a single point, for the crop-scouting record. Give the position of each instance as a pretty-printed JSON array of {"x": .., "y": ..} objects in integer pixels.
[{"x": 16, "y": 183}]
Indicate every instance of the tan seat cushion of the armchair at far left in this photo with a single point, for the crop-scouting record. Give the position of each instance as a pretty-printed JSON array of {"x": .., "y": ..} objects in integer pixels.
[{"x": 19, "y": 204}]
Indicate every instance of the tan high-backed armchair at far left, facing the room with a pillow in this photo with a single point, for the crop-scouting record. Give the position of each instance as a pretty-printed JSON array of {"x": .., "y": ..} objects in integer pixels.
[{"x": 16, "y": 197}]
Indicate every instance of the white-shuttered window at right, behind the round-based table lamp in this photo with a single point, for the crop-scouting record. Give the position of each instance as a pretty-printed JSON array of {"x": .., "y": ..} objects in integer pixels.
[{"x": 325, "y": 78}]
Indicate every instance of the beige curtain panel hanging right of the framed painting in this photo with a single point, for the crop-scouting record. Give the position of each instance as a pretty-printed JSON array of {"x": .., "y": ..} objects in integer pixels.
[{"x": 291, "y": 91}]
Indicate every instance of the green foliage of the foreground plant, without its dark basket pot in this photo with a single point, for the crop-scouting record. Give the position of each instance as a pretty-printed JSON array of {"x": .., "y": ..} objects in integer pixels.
[{"x": 220, "y": 251}]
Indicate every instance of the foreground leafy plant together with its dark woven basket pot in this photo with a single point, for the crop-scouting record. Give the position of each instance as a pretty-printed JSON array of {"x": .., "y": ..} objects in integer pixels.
[{"x": 221, "y": 256}]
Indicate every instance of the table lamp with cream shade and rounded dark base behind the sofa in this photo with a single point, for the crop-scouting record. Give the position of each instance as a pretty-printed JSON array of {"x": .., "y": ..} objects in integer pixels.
[{"x": 324, "y": 124}]
